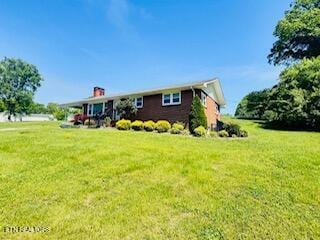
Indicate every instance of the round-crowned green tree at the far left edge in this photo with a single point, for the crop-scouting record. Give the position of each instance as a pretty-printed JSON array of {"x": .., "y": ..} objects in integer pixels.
[{"x": 18, "y": 82}]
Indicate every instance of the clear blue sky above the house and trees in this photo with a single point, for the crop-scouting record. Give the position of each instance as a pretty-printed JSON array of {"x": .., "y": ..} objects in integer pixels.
[{"x": 126, "y": 45}]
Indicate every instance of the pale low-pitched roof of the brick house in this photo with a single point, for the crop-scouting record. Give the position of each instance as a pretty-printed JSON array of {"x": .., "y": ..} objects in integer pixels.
[{"x": 213, "y": 83}]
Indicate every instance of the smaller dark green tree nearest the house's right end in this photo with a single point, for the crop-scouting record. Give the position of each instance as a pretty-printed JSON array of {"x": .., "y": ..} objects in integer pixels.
[{"x": 253, "y": 105}]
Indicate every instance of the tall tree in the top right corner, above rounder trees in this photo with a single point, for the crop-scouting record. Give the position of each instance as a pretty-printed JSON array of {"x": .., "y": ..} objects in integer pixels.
[{"x": 298, "y": 33}]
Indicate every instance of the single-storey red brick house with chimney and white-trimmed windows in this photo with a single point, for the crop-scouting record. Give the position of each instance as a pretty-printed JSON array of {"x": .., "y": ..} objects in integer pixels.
[{"x": 172, "y": 103}]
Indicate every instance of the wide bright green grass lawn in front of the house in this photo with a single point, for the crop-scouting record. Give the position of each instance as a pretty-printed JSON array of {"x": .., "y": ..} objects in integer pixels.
[{"x": 100, "y": 184}]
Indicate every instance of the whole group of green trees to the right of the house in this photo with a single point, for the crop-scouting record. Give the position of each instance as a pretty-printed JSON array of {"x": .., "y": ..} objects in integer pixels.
[{"x": 295, "y": 101}]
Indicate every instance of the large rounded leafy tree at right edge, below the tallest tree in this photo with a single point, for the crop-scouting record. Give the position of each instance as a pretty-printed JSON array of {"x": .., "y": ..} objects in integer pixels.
[{"x": 295, "y": 101}]
